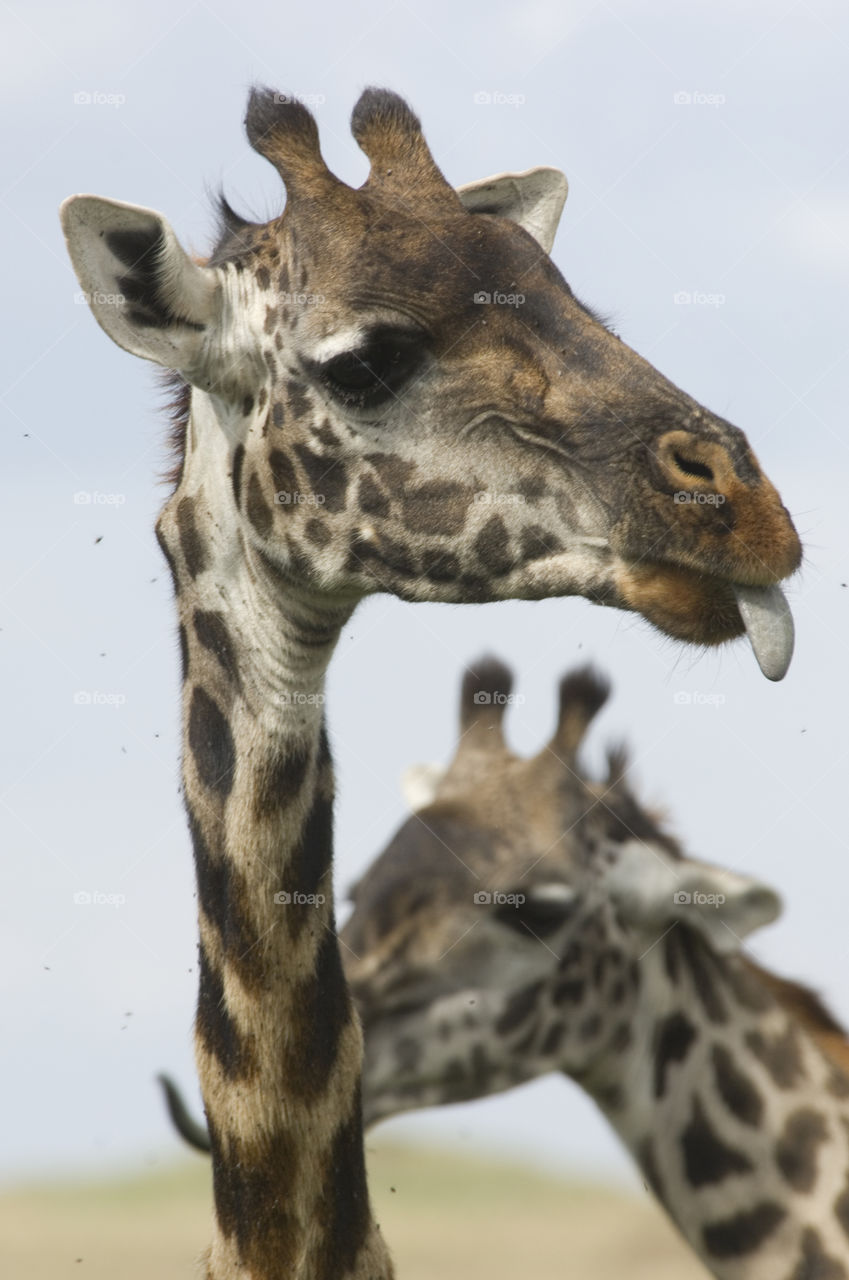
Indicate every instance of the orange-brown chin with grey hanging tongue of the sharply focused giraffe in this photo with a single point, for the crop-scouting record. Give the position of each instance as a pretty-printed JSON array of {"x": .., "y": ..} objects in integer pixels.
[{"x": 707, "y": 610}]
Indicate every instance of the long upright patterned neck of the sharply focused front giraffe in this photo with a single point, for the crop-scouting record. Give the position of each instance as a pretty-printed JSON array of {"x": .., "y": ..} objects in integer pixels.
[{"x": 277, "y": 1041}]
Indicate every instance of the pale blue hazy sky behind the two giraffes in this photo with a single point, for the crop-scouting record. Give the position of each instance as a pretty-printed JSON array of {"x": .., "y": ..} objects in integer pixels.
[{"x": 740, "y": 195}]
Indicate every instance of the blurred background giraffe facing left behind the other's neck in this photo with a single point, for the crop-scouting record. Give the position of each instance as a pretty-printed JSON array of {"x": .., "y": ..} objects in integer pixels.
[{"x": 528, "y": 921}]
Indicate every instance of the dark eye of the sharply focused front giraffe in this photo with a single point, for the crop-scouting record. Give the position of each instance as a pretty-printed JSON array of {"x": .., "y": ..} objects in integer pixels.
[{"x": 376, "y": 372}]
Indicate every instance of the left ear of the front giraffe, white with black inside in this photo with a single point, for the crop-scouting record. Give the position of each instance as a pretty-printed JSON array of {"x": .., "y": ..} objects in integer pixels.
[{"x": 143, "y": 287}]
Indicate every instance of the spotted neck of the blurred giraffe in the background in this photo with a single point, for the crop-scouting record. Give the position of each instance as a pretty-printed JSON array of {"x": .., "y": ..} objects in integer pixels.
[{"x": 738, "y": 1121}]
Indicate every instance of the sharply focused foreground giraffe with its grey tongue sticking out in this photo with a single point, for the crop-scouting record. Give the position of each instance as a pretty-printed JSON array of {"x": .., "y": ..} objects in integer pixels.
[{"x": 352, "y": 414}]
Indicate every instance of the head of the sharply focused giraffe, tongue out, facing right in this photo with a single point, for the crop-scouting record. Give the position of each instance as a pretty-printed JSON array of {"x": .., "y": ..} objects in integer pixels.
[{"x": 394, "y": 388}]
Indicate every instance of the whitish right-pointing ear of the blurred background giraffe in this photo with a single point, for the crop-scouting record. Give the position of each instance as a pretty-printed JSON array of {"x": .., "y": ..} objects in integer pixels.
[{"x": 655, "y": 892}]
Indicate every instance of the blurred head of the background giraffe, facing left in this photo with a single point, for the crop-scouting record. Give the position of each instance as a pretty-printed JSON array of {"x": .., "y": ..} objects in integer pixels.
[{"x": 503, "y": 932}]
